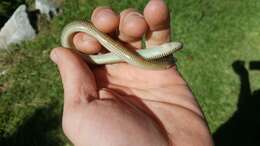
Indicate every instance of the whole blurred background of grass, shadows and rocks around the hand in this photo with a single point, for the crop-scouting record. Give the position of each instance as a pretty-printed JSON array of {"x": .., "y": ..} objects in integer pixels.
[{"x": 220, "y": 61}]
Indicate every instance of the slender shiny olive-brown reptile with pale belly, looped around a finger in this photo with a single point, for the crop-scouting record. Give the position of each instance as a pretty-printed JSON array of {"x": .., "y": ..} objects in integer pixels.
[{"x": 156, "y": 58}]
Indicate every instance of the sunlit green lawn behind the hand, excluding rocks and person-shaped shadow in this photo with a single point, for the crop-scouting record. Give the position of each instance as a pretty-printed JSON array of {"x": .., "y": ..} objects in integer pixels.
[{"x": 215, "y": 34}]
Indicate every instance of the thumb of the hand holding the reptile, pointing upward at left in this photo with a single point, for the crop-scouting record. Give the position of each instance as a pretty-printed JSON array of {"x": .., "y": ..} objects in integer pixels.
[{"x": 78, "y": 80}]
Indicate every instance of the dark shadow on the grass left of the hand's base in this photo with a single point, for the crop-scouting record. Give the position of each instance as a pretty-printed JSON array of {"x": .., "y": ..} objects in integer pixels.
[{"x": 38, "y": 130}]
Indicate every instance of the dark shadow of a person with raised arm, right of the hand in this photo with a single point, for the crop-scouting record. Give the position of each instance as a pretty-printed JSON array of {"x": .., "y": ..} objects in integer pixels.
[{"x": 243, "y": 128}]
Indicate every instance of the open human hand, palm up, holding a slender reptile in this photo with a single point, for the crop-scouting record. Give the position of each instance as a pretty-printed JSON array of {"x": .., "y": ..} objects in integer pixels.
[{"x": 120, "y": 104}]
